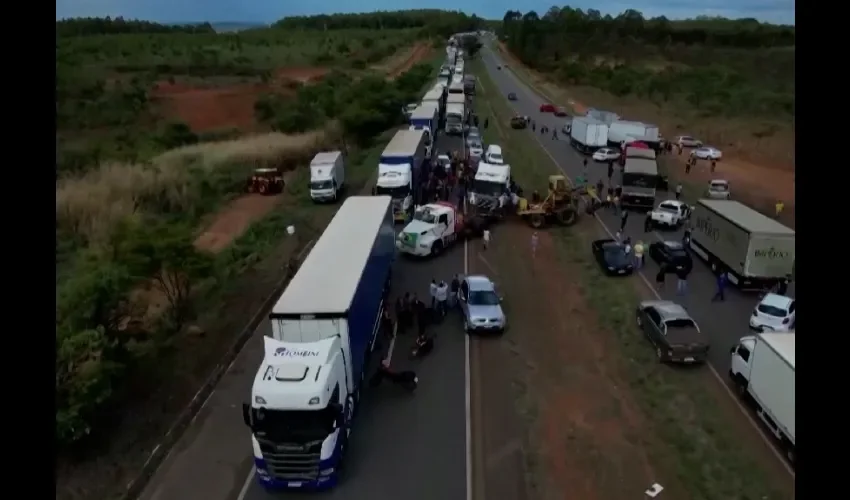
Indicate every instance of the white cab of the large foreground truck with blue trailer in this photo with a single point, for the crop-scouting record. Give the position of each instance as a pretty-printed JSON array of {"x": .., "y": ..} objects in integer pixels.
[{"x": 300, "y": 410}]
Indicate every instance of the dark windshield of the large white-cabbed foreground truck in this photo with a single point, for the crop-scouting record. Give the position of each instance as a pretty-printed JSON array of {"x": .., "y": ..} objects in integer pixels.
[{"x": 294, "y": 425}]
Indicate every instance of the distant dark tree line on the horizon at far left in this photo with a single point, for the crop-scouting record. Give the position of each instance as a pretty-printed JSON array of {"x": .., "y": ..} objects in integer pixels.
[{"x": 86, "y": 26}]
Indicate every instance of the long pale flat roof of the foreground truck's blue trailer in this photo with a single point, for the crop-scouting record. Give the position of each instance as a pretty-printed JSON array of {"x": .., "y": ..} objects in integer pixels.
[{"x": 328, "y": 277}]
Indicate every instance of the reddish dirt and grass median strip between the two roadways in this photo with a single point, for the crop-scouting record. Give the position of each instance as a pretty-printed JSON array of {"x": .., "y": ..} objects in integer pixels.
[{"x": 586, "y": 438}]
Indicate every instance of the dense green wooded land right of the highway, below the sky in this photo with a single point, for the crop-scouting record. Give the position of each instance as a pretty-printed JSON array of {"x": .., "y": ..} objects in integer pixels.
[{"x": 717, "y": 66}]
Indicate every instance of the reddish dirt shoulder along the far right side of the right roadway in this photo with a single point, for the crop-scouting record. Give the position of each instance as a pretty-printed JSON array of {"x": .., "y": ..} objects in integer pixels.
[{"x": 756, "y": 178}]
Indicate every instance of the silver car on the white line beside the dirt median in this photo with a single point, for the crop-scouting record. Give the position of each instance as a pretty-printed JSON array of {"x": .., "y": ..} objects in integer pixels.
[{"x": 481, "y": 306}]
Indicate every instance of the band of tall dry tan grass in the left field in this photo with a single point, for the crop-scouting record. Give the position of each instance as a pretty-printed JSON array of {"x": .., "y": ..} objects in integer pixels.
[{"x": 177, "y": 181}]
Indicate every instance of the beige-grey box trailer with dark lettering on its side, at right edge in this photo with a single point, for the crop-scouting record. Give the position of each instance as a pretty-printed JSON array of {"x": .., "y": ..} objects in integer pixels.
[{"x": 755, "y": 251}]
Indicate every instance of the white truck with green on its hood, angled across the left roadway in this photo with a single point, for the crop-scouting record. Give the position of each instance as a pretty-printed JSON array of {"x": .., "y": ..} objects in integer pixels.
[{"x": 434, "y": 228}]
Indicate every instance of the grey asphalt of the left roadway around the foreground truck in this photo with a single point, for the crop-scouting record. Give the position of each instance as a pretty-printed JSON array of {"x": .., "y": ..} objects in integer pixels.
[{"x": 403, "y": 446}]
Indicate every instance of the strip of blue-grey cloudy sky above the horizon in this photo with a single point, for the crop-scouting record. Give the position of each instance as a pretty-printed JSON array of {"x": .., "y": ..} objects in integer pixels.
[{"x": 776, "y": 11}]
